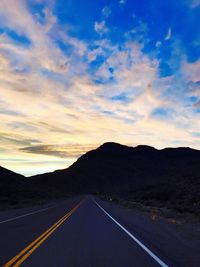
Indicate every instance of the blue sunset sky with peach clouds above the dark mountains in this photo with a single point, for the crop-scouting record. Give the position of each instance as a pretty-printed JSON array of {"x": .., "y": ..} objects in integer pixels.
[{"x": 76, "y": 74}]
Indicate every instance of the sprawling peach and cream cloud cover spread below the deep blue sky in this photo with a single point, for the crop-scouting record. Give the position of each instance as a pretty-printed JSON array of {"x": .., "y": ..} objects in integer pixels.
[{"x": 61, "y": 96}]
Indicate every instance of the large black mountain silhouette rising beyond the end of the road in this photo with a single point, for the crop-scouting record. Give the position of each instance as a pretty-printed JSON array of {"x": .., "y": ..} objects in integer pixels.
[{"x": 169, "y": 176}]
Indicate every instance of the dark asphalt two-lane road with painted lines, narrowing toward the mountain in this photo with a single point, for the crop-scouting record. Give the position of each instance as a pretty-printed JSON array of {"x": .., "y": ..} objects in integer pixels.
[{"x": 86, "y": 231}]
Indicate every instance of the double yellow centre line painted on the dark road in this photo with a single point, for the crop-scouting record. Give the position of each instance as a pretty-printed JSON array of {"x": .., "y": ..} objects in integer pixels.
[{"x": 25, "y": 253}]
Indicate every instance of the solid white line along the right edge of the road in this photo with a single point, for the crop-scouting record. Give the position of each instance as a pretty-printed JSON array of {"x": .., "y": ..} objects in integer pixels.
[{"x": 158, "y": 260}]
